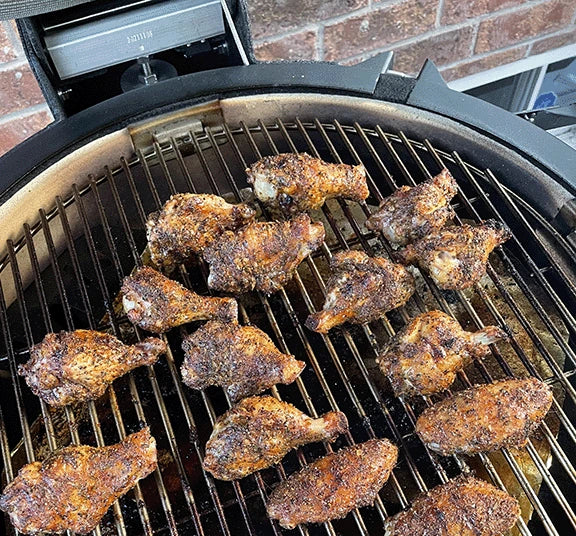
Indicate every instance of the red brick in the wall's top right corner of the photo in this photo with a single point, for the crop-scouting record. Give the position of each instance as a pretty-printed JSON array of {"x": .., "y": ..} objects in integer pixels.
[{"x": 524, "y": 24}]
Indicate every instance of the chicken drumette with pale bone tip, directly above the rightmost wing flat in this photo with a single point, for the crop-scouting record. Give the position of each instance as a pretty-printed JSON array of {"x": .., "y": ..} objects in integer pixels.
[{"x": 424, "y": 357}]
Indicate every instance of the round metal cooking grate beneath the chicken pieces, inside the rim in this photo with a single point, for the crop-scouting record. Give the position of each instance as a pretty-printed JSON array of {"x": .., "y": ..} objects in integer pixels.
[{"x": 66, "y": 271}]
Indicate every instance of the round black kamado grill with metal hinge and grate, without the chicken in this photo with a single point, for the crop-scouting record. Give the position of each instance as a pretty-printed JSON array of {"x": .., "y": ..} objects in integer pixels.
[{"x": 75, "y": 202}]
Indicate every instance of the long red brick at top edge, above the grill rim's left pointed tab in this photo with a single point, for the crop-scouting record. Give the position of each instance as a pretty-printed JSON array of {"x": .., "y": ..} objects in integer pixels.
[{"x": 378, "y": 29}]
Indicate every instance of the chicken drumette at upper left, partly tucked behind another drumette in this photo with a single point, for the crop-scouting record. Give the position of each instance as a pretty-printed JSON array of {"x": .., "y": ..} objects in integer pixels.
[{"x": 188, "y": 223}]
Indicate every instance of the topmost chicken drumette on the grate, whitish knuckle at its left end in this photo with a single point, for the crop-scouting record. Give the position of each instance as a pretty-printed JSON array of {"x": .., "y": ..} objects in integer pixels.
[{"x": 299, "y": 182}]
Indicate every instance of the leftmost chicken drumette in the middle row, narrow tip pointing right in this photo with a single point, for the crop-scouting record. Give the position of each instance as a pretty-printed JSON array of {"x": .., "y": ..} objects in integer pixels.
[{"x": 69, "y": 367}]
